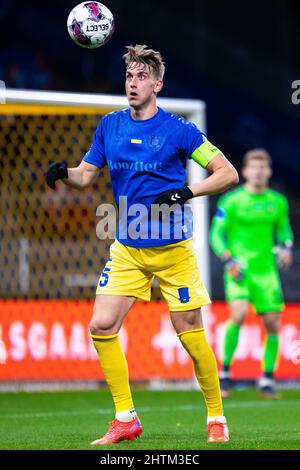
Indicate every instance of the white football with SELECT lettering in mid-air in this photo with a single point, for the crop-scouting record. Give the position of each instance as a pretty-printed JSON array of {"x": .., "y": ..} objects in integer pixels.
[{"x": 90, "y": 24}]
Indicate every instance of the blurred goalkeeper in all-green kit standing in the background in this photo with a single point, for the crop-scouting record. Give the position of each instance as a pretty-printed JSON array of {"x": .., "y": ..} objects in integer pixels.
[{"x": 247, "y": 222}]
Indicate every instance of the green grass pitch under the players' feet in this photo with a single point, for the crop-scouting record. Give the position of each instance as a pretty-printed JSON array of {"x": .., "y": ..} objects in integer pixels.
[{"x": 171, "y": 420}]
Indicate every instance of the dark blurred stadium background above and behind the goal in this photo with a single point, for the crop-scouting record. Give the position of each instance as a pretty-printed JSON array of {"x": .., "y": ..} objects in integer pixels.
[{"x": 239, "y": 57}]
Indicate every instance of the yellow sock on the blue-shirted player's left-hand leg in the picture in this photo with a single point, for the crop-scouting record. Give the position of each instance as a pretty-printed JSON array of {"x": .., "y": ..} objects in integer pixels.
[{"x": 115, "y": 370}]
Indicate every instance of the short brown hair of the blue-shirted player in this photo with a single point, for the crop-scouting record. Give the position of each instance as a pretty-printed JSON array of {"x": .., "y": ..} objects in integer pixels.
[{"x": 143, "y": 55}]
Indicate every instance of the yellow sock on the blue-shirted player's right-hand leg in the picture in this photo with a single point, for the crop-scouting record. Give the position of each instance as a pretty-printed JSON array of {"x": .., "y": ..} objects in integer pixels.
[{"x": 205, "y": 365}]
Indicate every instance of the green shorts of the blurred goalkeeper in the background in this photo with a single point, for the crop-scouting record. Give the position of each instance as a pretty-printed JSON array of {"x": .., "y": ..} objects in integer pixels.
[{"x": 261, "y": 289}]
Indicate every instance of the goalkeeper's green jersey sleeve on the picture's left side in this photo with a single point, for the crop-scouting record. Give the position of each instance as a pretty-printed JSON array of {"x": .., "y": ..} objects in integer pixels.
[{"x": 218, "y": 237}]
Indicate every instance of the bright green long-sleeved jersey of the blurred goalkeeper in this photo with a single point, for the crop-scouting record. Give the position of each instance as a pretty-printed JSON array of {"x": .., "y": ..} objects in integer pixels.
[{"x": 249, "y": 225}]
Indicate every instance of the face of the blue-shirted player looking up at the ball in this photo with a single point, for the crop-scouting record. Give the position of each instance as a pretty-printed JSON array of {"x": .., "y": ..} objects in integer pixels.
[{"x": 141, "y": 85}]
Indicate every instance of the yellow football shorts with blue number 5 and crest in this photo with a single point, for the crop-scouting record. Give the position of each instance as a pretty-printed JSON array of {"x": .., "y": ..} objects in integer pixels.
[{"x": 130, "y": 271}]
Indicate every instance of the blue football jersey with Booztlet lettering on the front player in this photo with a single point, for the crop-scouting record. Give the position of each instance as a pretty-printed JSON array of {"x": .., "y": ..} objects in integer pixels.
[{"x": 146, "y": 158}]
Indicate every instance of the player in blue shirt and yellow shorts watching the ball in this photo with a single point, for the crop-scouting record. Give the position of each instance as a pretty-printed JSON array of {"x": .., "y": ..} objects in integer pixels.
[{"x": 146, "y": 151}]
